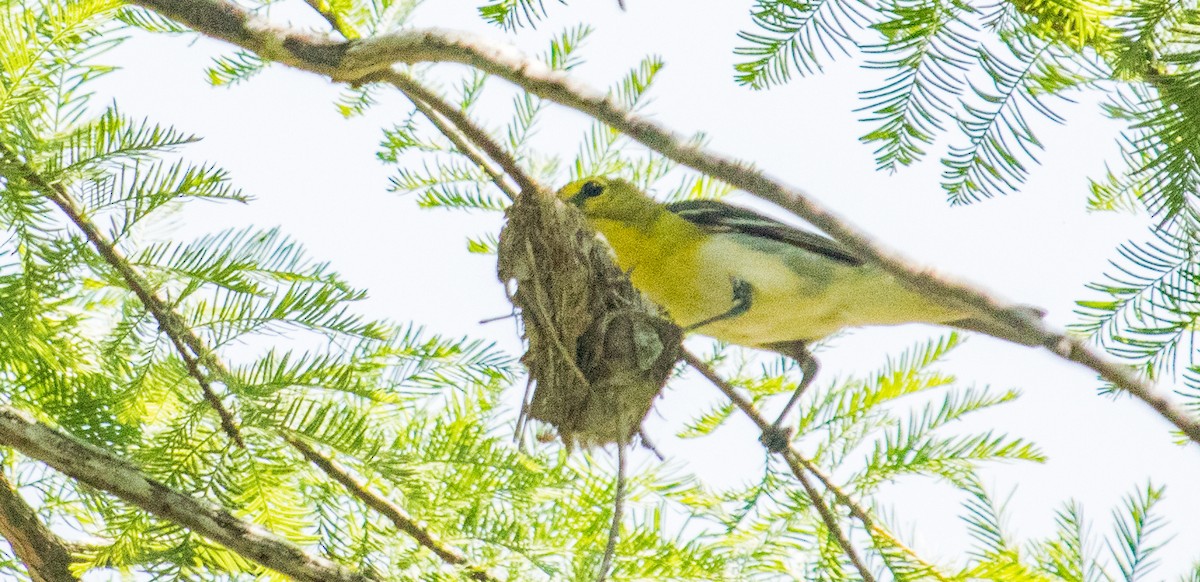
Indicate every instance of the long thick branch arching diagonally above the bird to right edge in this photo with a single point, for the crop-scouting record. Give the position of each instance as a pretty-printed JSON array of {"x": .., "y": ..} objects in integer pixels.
[{"x": 359, "y": 61}]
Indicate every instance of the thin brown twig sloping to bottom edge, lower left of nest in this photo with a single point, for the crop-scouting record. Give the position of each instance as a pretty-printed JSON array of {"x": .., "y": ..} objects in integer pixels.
[{"x": 392, "y": 512}]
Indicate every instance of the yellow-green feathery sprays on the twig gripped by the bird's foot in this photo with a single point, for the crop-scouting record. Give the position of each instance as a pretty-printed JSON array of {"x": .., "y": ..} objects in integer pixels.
[{"x": 862, "y": 435}]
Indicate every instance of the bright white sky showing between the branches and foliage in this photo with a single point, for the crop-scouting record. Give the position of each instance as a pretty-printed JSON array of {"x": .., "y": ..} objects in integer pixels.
[{"x": 316, "y": 175}]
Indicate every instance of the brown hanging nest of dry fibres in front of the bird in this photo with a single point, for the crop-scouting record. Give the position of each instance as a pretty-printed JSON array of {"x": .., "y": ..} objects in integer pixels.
[{"x": 599, "y": 353}]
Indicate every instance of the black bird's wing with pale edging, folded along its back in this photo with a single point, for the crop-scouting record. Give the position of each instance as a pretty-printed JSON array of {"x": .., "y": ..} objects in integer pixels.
[{"x": 719, "y": 218}]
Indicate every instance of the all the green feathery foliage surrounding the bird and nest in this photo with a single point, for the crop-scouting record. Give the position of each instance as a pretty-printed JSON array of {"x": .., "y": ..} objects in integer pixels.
[{"x": 424, "y": 421}]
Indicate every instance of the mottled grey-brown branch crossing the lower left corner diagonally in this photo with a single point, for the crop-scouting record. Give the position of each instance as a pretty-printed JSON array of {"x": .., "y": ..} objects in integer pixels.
[{"x": 99, "y": 469}]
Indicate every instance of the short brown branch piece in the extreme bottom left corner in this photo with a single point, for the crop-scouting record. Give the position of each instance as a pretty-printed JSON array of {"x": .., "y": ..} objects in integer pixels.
[{"x": 46, "y": 556}]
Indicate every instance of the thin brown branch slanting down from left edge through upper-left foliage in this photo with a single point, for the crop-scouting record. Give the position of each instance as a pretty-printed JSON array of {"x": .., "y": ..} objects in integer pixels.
[{"x": 189, "y": 346}]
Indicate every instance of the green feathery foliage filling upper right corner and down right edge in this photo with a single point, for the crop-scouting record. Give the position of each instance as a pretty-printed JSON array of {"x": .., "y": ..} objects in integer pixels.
[{"x": 989, "y": 77}]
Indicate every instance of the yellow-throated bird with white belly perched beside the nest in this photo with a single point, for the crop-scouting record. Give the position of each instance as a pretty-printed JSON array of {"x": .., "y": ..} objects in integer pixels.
[{"x": 739, "y": 277}]
